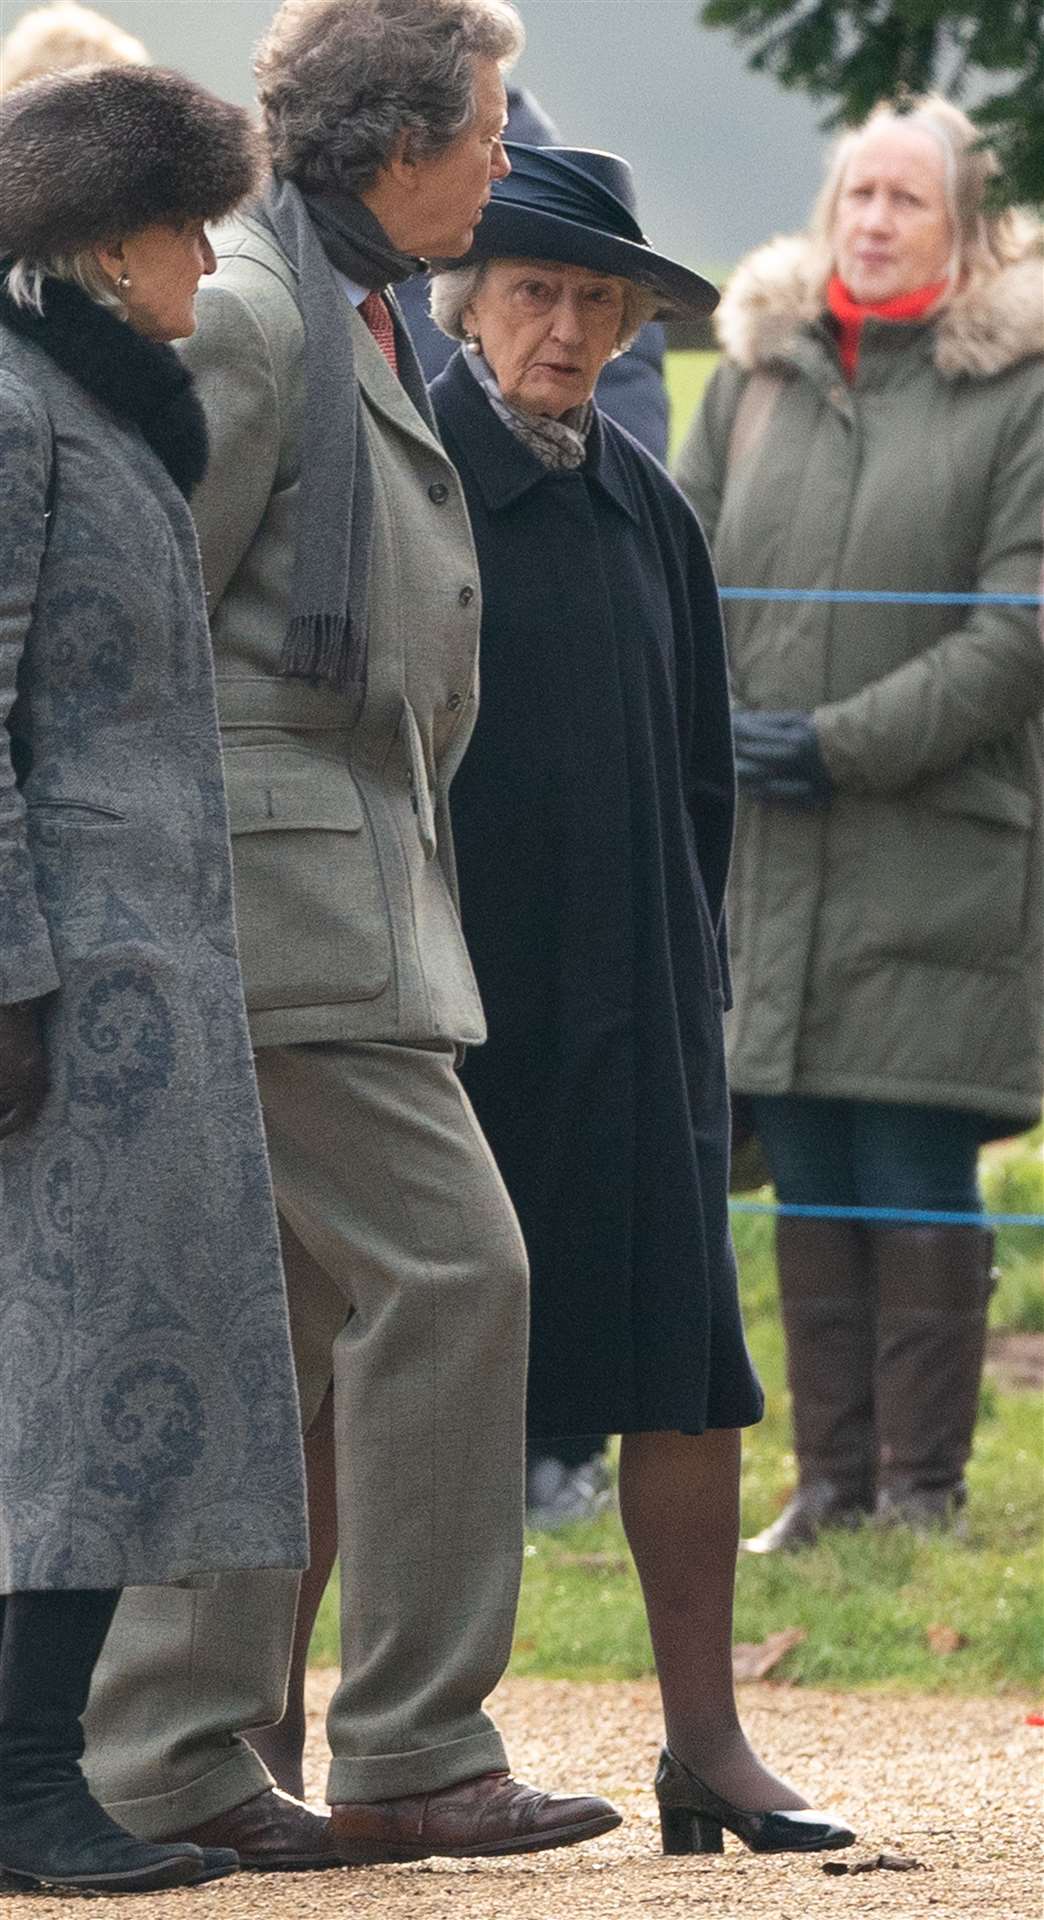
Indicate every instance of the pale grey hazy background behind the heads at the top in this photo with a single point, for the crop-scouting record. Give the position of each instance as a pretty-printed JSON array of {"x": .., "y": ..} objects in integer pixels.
[{"x": 723, "y": 158}]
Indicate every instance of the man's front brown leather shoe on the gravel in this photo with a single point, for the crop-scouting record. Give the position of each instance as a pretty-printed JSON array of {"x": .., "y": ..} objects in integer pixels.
[{"x": 477, "y": 1817}]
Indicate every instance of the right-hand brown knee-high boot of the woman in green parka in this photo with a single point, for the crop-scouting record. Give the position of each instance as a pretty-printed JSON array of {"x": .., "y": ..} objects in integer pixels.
[{"x": 936, "y": 1287}]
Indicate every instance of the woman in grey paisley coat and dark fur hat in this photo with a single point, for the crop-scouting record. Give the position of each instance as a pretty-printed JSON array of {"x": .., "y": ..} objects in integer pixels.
[{"x": 149, "y": 1420}]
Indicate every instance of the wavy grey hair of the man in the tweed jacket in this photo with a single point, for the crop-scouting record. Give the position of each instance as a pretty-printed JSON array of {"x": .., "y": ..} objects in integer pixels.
[{"x": 341, "y": 82}]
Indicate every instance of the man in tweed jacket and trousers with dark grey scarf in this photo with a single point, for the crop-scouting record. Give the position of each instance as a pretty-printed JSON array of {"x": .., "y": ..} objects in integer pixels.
[{"x": 404, "y": 1260}]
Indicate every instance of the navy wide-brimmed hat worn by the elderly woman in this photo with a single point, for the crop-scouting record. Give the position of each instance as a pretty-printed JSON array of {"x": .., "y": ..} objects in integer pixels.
[{"x": 577, "y": 206}]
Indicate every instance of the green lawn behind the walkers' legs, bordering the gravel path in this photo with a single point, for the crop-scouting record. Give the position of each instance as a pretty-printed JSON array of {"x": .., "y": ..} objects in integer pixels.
[{"x": 865, "y": 1600}]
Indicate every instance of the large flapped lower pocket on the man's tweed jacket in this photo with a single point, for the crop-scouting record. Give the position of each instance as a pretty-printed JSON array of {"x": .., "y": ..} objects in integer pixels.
[{"x": 312, "y": 915}]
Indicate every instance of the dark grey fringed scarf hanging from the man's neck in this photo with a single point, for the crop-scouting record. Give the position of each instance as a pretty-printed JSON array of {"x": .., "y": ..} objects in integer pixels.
[{"x": 323, "y": 237}]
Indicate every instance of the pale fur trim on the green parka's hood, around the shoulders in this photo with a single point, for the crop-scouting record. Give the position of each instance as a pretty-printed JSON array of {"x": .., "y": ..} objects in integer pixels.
[{"x": 778, "y": 291}]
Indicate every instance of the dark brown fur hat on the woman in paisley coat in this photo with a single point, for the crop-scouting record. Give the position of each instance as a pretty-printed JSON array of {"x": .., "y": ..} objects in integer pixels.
[{"x": 101, "y": 153}]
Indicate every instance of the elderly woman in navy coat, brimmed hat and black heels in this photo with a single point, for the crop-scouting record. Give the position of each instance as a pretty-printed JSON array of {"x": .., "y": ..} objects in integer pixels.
[{"x": 594, "y": 825}]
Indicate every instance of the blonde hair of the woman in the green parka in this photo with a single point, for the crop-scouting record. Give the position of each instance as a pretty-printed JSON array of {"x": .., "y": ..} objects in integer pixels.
[{"x": 985, "y": 239}]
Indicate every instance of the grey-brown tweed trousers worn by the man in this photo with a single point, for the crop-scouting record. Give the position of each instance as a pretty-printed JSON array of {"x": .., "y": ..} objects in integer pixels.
[{"x": 408, "y": 1289}]
